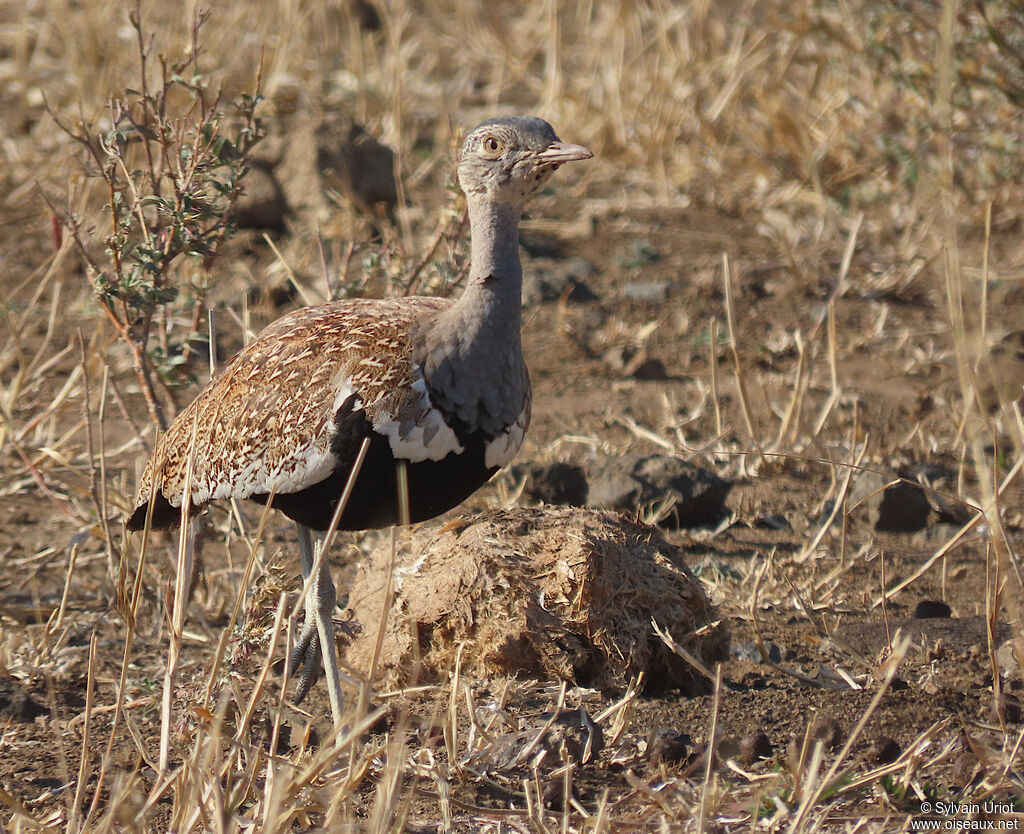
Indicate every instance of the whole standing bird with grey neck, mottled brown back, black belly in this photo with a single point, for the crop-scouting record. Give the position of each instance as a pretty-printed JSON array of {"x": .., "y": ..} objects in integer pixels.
[{"x": 433, "y": 387}]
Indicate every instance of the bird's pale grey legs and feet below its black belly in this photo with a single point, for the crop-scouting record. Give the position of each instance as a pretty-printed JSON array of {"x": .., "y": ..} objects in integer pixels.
[{"x": 316, "y": 650}]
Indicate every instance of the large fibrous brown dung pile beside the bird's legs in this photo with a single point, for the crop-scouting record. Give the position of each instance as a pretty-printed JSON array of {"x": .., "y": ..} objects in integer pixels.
[{"x": 562, "y": 594}]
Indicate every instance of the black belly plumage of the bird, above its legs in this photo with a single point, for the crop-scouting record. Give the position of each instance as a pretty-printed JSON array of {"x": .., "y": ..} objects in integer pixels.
[{"x": 435, "y": 487}]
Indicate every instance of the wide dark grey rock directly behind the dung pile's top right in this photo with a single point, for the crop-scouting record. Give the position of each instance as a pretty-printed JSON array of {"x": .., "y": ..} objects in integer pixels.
[{"x": 631, "y": 483}]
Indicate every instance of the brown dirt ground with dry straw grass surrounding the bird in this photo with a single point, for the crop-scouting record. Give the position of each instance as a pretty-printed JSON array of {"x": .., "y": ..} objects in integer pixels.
[{"x": 775, "y": 235}]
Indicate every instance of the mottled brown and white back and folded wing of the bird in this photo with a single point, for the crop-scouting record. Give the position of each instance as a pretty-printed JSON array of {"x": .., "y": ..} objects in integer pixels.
[{"x": 265, "y": 424}]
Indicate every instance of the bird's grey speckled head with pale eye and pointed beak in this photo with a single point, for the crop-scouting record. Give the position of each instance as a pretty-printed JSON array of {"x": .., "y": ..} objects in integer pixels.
[{"x": 507, "y": 160}]
